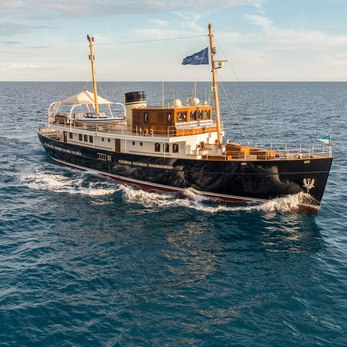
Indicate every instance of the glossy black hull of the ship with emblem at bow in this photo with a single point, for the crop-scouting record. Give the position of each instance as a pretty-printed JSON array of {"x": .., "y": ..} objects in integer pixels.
[{"x": 230, "y": 180}]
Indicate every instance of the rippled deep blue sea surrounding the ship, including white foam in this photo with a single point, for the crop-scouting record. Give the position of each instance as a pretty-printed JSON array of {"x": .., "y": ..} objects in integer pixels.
[{"x": 87, "y": 261}]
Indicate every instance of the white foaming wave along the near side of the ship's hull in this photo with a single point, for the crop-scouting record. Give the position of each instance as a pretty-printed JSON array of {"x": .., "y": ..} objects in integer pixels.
[{"x": 152, "y": 200}]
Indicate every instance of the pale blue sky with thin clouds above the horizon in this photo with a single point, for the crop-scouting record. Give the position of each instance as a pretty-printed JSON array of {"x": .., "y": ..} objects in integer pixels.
[{"x": 146, "y": 40}]
